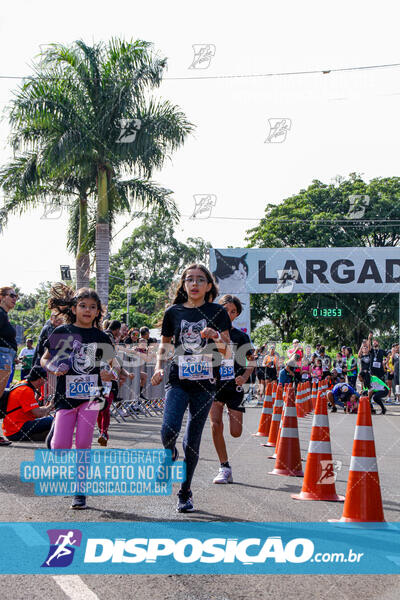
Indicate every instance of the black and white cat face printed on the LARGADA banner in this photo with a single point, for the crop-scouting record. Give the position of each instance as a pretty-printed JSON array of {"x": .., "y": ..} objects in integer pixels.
[{"x": 231, "y": 273}]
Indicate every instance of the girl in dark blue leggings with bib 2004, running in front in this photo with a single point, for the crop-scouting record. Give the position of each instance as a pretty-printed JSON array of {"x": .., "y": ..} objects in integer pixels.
[{"x": 200, "y": 332}]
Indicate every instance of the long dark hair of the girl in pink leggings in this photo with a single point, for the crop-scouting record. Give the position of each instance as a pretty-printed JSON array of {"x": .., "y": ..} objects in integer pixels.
[{"x": 63, "y": 298}]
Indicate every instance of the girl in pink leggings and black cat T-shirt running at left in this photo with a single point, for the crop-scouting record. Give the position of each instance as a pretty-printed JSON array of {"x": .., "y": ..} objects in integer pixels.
[{"x": 75, "y": 353}]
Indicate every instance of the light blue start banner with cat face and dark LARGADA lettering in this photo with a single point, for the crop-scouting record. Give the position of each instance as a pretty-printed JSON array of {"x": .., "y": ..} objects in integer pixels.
[{"x": 306, "y": 270}]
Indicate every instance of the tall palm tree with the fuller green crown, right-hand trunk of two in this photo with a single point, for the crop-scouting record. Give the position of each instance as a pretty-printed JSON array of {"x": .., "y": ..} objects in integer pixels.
[{"x": 87, "y": 112}]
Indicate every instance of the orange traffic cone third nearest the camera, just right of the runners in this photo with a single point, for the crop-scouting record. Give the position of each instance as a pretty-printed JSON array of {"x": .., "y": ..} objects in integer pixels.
[{"x": 288, "y": 460}]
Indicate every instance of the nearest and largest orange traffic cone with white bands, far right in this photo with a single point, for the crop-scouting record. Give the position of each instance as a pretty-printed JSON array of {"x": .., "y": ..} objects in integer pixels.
[{"x": 363, "y": 493}]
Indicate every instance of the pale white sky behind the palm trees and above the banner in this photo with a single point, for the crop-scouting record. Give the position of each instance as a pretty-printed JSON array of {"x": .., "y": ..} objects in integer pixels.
[{"x": 339, "y": 122}]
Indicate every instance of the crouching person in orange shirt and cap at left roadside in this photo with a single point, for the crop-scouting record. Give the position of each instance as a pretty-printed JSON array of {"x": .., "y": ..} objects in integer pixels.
[{"x": 25, "y": 419}]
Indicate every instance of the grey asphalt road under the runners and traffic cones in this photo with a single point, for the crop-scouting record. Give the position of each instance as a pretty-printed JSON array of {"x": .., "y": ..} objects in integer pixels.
[{"x": 255, "y": 496}]
